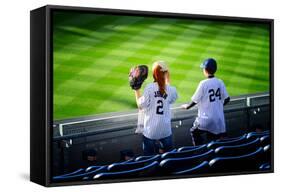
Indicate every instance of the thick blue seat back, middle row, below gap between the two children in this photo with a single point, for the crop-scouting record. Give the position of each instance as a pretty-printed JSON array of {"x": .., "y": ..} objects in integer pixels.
[{"x": 177, "y": 164}]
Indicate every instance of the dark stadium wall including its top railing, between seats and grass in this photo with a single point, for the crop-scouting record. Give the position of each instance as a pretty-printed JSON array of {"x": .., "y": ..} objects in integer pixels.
[{"x": 109, "y": 134}]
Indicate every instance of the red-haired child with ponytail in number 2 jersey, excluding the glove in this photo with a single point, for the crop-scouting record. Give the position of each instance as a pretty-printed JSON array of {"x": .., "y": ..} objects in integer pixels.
[{"x": 155, "y": 103}]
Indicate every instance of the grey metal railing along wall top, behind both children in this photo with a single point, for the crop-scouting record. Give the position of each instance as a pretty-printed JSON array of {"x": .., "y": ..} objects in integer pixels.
[{"x": 118, "y": 122}]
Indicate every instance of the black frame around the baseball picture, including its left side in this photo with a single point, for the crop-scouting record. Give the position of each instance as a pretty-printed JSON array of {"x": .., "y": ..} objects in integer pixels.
[{"x": 41, "y": 83}]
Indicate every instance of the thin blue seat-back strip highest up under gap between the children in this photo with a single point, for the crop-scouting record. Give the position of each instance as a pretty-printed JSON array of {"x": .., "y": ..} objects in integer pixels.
[{"x": 185, "y": 153}]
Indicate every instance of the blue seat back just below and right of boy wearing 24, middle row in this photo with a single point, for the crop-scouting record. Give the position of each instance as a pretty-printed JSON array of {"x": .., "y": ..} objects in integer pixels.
[{"x": 236, "y": 150}]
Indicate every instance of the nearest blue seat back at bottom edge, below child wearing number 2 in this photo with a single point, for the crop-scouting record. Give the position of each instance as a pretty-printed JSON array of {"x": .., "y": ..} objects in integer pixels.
[{"x": 148, "y": 170}]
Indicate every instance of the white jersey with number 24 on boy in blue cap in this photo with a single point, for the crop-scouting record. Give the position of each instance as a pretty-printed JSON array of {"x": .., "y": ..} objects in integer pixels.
[{"x": 209, "y": 96}]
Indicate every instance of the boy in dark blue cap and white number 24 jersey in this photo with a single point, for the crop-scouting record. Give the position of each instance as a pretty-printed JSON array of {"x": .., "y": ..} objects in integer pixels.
[{"x": 210, "y": 97}]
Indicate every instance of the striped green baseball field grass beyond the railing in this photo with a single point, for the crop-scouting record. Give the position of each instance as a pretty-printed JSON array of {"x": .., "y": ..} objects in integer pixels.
[{"x": 93, "y": 55}]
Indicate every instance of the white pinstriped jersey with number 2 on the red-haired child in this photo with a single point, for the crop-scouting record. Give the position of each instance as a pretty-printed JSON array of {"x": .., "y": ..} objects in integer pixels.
[{"x": 157, "y": 112}]
